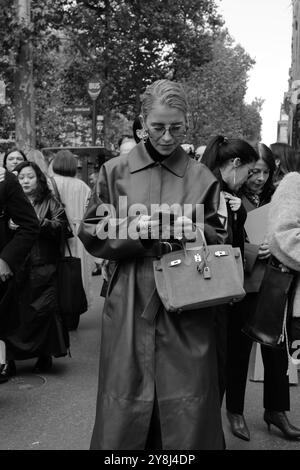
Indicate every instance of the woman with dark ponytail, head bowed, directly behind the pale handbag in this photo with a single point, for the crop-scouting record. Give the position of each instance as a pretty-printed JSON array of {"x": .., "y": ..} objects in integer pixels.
[{"x": 232, "y": 162}]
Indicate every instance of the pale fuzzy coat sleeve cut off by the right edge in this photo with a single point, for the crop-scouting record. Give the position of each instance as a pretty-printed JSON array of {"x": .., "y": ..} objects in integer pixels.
[{"x": 284, "y": 222}]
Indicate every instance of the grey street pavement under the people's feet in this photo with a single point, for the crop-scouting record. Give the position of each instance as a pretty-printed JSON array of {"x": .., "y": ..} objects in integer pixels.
[{"x": 55, "y": 411}]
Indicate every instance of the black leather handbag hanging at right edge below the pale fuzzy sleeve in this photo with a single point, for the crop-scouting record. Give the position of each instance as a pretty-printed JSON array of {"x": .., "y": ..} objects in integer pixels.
[{"x": 268, "y": 323}]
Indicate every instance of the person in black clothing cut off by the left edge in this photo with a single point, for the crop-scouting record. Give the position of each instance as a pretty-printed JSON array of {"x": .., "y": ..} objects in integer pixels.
[{"x": 14, "y": 206}]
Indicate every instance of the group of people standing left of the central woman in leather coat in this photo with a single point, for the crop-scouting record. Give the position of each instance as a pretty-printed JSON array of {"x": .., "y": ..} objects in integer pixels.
[{"x": 34, "y": 327}]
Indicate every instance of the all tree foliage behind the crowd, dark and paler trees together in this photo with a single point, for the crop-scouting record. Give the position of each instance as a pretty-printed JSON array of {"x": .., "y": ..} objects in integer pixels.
[{"x": 128, "y": 44}]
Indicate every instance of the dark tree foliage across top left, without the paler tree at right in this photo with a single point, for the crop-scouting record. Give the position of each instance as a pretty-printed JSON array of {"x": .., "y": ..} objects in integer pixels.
[{"x": 125, "y": 43}]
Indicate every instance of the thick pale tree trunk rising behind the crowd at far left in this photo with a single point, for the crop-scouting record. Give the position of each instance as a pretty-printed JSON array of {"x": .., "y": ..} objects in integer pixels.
[{"x": 24, "y": 90}]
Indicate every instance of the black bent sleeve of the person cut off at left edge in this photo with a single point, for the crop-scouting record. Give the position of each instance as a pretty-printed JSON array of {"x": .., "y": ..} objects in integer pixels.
[{"x": 19, "y": 209}]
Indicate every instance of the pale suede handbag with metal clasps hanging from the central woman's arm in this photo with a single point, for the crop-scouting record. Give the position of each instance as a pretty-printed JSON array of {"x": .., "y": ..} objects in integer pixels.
[{"x": 199, "y": 276}]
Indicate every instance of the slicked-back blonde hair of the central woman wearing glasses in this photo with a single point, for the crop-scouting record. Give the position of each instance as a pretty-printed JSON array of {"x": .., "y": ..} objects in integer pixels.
[{"x": 164, "y": 92}]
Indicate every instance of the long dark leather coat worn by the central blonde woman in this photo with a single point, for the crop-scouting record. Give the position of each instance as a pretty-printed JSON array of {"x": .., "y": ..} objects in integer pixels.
[{"x": 143, "y": 353}]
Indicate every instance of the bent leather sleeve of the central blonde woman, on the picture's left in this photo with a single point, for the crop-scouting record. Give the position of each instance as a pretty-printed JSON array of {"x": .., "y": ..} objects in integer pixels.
[{"x": 102, "y": 233}]
